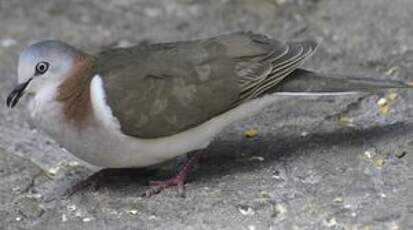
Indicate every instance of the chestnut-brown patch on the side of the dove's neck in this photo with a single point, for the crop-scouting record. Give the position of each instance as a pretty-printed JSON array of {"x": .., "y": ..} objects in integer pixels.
[{"x": 74, "y": 92}]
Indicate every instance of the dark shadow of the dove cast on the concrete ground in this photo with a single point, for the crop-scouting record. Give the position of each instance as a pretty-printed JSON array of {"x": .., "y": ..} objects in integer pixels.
[{"x": 223, "y": 157}]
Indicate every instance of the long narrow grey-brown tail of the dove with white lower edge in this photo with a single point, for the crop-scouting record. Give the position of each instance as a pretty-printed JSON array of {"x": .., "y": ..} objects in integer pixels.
[{"x": 303, "y": 82}]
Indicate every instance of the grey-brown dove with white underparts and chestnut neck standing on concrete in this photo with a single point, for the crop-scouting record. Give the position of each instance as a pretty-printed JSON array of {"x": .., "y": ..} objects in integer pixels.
[{"x": 145, "y": 104}]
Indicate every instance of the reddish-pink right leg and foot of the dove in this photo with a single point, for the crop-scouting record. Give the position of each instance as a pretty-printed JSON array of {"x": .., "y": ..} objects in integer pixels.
[{"x": 178, "y": 180}]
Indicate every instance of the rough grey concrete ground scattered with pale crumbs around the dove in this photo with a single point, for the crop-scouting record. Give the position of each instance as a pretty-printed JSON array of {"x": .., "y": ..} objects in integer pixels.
[{"x": 316, "y": 163}]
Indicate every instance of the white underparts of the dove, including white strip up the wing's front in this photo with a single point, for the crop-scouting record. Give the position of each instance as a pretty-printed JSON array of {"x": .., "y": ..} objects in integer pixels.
[{"x": 103, "y": 144}]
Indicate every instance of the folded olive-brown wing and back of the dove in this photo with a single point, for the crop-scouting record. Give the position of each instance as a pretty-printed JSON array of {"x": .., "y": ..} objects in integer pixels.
[{"x": 163, "y": 89}]
